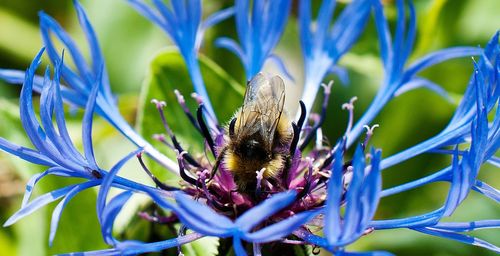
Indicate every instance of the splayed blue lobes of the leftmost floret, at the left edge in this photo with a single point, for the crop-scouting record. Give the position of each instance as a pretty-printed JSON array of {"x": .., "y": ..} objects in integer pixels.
[{"x": 54, "y": 147}]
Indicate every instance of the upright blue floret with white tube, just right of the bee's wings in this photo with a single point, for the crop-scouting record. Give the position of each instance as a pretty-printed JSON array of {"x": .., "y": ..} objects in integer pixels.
[{"x": 325, "y": 46}]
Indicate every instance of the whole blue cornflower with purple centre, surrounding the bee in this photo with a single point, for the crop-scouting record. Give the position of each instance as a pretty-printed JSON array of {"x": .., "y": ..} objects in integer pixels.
[{"x": 318, "y": 189}]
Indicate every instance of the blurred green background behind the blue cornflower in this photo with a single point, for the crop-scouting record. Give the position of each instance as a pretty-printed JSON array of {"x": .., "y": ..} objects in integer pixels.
[{"x": 130, "y": 42}]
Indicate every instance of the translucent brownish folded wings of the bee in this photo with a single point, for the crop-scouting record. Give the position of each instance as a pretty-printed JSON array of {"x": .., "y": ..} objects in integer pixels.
[{"x": 262, "y": 107}]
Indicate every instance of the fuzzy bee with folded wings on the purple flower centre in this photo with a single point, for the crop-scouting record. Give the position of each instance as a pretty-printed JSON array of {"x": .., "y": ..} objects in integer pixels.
[{"x": 259, "y": 134}]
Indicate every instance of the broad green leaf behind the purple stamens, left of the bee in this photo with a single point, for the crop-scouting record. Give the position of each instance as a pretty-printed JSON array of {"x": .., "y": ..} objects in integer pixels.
[{"x": 168, "y": 72}]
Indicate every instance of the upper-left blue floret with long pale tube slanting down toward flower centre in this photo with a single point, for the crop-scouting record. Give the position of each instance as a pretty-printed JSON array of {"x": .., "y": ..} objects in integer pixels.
[{"x": 80, "y": 82}]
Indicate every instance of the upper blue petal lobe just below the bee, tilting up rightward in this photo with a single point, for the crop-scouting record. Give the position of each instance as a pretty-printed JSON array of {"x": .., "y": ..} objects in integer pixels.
[{"x": 264, "y": 210}]
